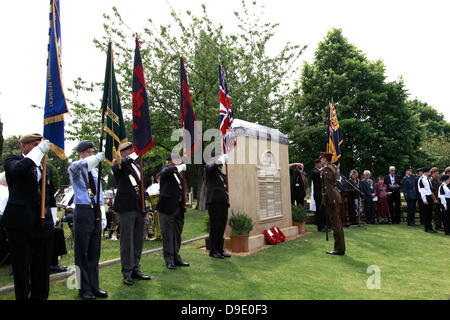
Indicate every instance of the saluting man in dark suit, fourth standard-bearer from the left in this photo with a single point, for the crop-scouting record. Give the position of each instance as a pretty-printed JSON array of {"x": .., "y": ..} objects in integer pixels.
[{"x": 171, "y": 208}]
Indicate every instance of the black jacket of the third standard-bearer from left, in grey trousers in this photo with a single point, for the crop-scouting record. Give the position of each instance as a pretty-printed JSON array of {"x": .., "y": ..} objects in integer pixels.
[{"x": 127, "y": 198}]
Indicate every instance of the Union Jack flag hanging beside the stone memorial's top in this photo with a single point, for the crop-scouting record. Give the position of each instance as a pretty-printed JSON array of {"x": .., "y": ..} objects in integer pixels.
[{"x": 226, "y": 116}]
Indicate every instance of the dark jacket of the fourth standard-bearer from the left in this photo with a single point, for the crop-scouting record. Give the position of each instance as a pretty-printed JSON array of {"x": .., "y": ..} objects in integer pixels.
[{"x": 170, "y": 192}]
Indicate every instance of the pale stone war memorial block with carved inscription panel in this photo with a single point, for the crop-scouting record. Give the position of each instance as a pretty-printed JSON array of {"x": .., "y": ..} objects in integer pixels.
[{"x": 258, "y": 178}]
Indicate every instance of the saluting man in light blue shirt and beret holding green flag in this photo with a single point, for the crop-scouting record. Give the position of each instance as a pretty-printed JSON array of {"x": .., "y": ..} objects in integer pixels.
[{"x": 87, "y": 231}]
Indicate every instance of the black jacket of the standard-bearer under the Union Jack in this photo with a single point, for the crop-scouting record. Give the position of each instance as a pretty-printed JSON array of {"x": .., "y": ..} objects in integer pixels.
[{"x": 216, "y": 190}]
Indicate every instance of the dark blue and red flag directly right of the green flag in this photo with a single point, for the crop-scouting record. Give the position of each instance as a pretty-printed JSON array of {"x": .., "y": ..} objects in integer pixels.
[{"x": 142, "y": 128}]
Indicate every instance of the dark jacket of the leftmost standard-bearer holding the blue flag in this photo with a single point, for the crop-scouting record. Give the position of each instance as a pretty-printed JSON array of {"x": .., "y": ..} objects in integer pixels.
[{"x": 23, "y": 210}]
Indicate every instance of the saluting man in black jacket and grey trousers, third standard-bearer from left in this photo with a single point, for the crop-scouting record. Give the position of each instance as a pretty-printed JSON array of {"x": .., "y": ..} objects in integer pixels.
[{"x": 128, "y": 205}]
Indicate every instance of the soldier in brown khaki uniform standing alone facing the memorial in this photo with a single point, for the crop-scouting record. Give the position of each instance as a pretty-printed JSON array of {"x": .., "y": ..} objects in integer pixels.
[{"x": 331, "y": 199}]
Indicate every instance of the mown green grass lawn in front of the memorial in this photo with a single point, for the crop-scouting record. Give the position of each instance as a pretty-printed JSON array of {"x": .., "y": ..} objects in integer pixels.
[{"x": 413, "y": 264}]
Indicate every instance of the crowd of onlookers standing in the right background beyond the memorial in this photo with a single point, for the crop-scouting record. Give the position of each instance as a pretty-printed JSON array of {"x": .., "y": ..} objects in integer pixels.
[{"x": 378, "y": 201}]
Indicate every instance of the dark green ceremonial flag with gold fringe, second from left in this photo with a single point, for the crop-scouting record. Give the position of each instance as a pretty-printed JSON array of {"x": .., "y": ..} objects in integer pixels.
[{"x": 115, "y": 127}]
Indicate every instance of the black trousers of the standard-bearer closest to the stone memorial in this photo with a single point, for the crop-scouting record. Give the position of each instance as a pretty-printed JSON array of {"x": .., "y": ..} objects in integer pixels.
[{"x": 218, "y": 216}]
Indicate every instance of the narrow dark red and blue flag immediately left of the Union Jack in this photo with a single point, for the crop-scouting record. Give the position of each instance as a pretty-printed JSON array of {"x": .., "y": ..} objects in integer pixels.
[{"x": 187, "y": 115}]
